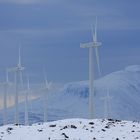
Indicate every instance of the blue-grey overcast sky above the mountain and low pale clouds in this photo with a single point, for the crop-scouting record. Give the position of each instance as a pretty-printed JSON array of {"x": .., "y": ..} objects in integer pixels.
[{"x": 50, "y": 33}]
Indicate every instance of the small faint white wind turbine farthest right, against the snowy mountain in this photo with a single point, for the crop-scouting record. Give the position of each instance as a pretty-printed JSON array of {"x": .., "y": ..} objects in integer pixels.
[{"x": 106, "y": 100}]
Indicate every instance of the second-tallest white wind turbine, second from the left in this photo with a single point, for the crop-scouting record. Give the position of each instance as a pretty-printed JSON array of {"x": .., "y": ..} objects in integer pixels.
[{"x": 18, "y": 79}]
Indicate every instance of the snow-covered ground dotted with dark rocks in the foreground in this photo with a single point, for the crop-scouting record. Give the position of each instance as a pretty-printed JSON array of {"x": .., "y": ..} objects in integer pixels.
[{"x": 74, "y": 129}]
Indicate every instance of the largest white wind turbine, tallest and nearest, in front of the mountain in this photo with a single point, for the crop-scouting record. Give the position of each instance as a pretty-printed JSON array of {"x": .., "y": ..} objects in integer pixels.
[{"x": 94, "y": 44}]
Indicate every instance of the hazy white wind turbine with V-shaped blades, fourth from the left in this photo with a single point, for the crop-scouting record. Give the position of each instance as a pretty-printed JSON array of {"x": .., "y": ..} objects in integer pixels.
[{"x": 47, "y": 88}]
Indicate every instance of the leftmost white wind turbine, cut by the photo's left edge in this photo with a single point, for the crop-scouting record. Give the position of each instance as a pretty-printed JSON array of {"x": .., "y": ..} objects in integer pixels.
[{"x": 5, "y": 85}]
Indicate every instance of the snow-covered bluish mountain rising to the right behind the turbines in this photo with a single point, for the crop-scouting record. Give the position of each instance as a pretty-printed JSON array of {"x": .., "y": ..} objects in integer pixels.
[{"x": 72, "y": 100}]
